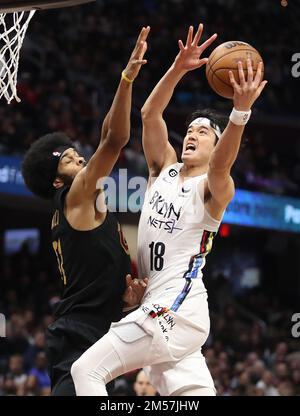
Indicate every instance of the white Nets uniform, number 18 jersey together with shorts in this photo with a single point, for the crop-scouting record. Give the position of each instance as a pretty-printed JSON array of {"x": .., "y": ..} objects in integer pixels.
[{"x": 175, "y": 235}]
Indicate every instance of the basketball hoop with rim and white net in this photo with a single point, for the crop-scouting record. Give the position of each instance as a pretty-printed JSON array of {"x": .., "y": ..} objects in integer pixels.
[{"x": 15, "y": 16}]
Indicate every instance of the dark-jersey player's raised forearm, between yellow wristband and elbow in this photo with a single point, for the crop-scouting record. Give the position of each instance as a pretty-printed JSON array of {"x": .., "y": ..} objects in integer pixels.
[{"x": 116, "y": 128}]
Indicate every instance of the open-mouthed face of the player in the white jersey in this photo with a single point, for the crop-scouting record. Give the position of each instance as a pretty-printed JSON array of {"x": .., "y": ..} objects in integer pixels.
[{"x": 198, "y": 144}]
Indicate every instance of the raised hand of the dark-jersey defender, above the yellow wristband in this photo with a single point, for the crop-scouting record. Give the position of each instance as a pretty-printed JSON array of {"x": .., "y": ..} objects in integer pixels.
[{"x": 137, "y": 57}]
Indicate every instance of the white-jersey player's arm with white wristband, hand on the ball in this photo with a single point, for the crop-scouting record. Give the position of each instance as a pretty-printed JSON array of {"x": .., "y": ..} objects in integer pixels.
[{"x": 225, "y": 153}]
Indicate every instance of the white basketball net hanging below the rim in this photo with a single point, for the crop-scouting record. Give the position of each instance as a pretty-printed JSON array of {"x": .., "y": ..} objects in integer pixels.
[{"x": 13, "y": 27}]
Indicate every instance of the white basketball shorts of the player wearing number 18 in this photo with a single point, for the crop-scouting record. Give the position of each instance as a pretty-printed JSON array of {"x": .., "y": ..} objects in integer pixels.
[{"x": 174, "y": 359}]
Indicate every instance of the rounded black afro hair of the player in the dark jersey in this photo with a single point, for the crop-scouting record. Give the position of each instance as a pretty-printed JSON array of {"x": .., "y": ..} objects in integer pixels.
[{"x": 39, "y": 168}]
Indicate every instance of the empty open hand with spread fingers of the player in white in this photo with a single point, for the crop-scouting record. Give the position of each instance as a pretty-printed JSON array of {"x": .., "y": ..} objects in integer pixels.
[{"x": 190, "y": 53}]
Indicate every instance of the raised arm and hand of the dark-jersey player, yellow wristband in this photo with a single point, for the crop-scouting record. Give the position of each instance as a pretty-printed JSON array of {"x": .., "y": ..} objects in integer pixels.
[{"x": 116, "y": 126}]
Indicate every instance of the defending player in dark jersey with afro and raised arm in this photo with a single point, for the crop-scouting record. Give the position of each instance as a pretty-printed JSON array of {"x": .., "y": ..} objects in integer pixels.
[{"x": 91, "y": 251}]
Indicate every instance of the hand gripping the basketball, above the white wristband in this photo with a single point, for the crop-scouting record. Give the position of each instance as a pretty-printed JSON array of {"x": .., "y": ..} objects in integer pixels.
[{"x": 247, "y": 91}]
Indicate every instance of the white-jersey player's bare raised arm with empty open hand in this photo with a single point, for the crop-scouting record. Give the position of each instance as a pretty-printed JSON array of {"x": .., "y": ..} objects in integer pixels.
[{"x": 158, "y": 151}]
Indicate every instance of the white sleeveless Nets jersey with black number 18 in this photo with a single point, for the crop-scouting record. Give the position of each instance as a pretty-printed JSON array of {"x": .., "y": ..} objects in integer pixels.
[{"x": 175, "y": 234}]
